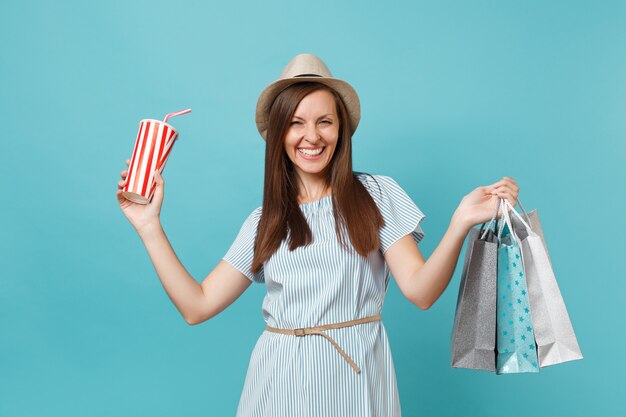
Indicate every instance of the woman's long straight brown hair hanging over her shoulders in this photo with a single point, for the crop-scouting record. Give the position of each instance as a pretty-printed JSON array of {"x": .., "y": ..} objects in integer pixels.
[{"x": 354, "y": 209}]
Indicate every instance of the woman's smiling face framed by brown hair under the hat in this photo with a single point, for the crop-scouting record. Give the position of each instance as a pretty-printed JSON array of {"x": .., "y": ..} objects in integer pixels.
[{"x": 313, "y": 133}]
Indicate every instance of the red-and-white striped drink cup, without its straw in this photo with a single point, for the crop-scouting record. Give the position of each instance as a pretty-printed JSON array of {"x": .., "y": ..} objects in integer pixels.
[{"x": 152, "y": 147}]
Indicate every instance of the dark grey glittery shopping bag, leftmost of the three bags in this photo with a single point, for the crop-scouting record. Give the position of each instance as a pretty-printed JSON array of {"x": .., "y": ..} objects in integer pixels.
[{"x": 473, "y": 337}]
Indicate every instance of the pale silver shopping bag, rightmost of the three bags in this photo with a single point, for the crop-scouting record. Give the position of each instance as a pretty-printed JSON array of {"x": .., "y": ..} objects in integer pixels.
[{"x": 556, "y": 341}]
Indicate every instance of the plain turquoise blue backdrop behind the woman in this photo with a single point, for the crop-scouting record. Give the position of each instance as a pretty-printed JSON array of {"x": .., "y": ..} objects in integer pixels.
[{"x": 454, "y": 95}]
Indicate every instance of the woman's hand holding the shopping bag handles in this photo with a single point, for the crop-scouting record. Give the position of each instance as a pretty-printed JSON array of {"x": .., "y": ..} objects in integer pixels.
[{"x": 478, "y": 206}]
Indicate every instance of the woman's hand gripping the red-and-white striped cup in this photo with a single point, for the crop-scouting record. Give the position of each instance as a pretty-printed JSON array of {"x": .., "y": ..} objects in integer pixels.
[{"x": 141, "y": 215}]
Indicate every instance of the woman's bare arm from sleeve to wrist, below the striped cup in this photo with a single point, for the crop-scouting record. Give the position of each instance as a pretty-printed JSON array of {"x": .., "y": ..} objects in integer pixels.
[{"x": 195, "y": 302}]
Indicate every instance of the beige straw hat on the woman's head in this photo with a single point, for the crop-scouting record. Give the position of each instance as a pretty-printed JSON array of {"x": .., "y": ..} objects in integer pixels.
[{"x": 306, "y": 67}]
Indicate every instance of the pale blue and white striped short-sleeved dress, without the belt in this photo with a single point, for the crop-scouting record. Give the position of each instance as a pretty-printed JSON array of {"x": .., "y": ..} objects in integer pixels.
[{"x": 320, "y": 284}]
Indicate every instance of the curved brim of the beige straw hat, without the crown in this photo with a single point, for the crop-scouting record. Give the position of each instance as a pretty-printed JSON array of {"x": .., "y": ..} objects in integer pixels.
[{"x": 266, "y": 98}]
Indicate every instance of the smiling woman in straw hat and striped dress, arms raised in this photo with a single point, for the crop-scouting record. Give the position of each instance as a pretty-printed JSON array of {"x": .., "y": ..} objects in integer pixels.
[{"x": 324, "y": 243}]
